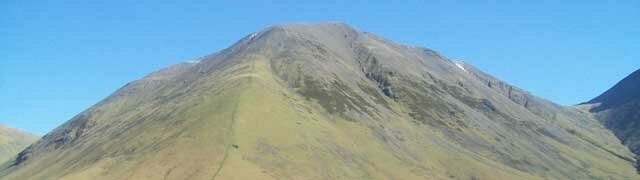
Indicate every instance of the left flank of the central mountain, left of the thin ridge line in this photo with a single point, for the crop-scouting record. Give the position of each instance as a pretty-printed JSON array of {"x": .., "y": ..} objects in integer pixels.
[{"x": 164, "y": 125}]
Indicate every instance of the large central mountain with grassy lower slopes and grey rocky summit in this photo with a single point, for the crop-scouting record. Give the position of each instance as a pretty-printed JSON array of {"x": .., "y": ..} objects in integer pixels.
[{"x": 324, "y": 101}]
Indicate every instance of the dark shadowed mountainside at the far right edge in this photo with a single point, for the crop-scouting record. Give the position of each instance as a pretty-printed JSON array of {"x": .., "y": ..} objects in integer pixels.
[{"x": 619, "y": 109}]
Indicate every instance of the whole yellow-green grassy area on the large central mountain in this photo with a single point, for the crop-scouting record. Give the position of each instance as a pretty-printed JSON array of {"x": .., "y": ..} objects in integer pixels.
[{"x": 287, "y": 137}]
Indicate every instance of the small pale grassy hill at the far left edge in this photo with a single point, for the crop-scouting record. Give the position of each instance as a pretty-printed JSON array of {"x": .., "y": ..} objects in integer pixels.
[{"x": 13, "y": 141}]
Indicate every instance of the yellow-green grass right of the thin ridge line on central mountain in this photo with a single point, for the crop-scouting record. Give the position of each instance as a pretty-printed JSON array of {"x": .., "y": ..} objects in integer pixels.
[{"x": 287, "y": 138}]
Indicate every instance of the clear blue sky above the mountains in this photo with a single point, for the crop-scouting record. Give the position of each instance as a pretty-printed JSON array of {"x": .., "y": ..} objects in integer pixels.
[{"x": 57, "y": 58}]
